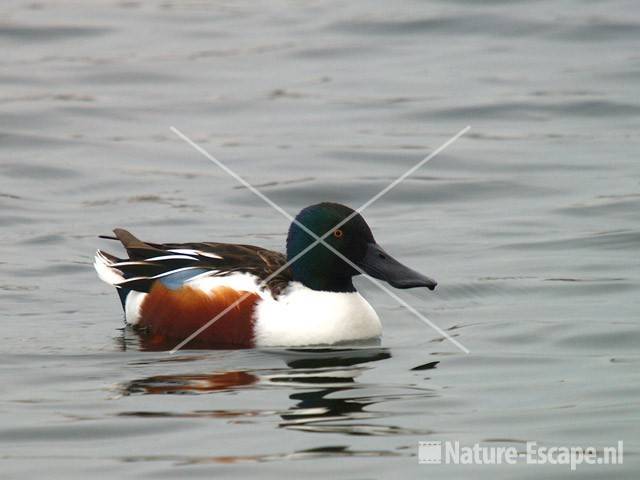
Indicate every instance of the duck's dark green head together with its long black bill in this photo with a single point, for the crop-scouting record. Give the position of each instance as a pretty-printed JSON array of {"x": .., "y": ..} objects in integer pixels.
[{"x": 321, "y": 269}]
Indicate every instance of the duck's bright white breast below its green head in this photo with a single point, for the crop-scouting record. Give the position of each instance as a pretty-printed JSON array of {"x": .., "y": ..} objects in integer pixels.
[{"x": 302, "y": 316}]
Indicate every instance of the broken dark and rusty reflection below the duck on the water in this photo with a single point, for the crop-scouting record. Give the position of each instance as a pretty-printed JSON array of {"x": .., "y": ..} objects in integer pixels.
[{"x": 327, "y": 400}]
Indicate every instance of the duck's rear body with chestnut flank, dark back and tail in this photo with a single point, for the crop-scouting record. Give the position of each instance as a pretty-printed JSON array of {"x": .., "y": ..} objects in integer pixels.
[{"x": 171, "y": 290}]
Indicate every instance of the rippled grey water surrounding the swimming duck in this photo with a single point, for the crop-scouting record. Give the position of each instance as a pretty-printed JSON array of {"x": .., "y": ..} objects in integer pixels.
[{"x": 529, "y": 223}]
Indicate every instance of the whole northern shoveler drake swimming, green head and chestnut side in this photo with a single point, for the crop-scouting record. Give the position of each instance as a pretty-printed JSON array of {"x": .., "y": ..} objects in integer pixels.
[{"x": 169, "y": 290}]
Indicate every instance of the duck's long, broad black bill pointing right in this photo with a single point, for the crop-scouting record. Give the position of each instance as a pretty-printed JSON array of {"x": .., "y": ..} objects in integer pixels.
[{"x": 379, "y": 264}]
